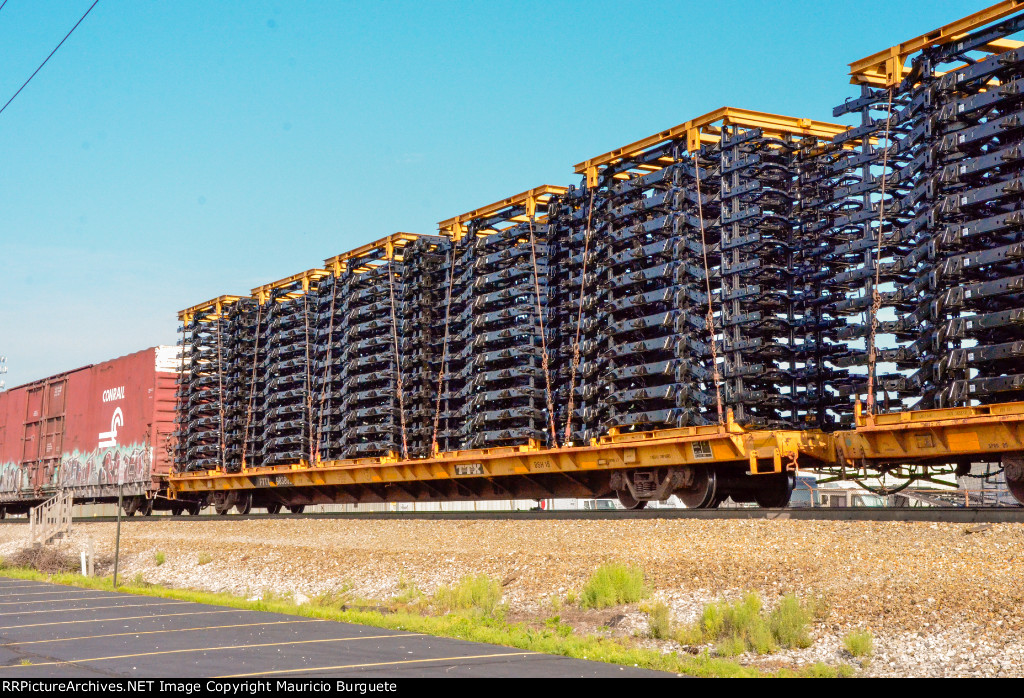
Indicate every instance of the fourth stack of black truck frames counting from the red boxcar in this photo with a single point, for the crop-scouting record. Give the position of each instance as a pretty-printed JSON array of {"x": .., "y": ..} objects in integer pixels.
[{"x": 502, "y": 334}]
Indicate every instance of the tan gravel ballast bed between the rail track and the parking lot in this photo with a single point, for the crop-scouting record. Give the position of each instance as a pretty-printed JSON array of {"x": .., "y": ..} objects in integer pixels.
[{"x": 941, "y": 600}]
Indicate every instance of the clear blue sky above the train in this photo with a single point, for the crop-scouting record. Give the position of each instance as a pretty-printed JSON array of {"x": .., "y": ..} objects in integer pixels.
[{"x": 174, "y": 152}]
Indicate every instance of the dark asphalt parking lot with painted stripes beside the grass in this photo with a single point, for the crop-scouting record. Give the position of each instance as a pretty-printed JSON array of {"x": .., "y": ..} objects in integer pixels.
[{"x": 51, "y": 631}]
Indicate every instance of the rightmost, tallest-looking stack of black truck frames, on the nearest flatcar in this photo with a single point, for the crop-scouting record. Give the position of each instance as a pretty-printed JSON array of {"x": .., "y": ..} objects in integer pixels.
[{"x": 935, "y": 168}]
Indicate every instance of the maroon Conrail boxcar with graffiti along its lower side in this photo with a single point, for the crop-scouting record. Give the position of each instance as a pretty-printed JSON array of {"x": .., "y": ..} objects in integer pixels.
[{"x": 89, "y": 430}]
